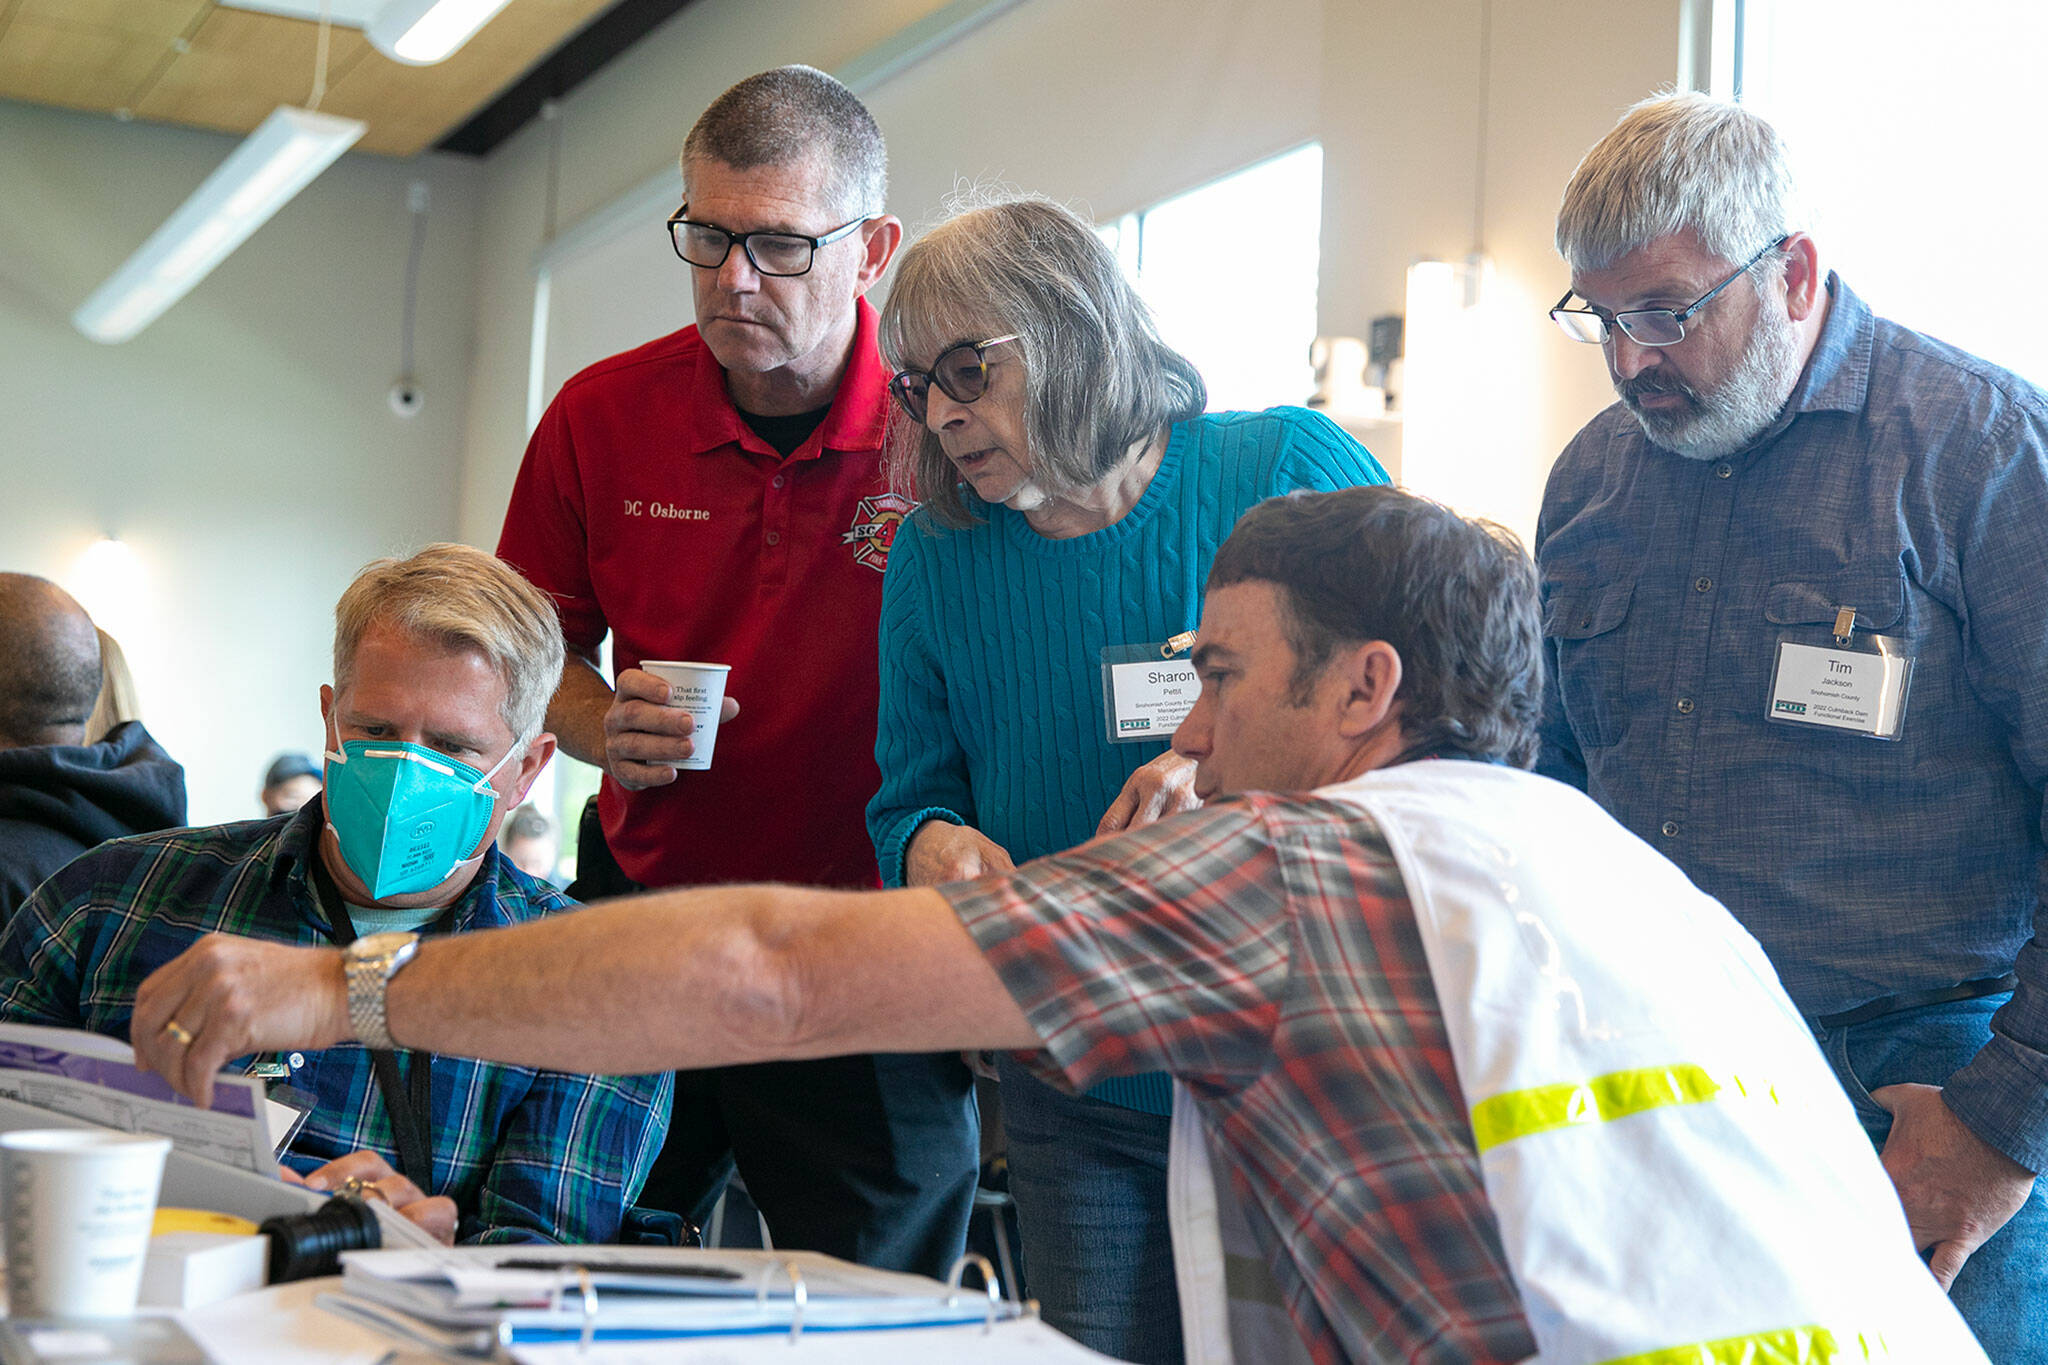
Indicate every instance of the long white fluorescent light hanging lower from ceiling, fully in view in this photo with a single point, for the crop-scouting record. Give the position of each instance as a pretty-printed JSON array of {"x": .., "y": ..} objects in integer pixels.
[{"x": 271, "y": 165}]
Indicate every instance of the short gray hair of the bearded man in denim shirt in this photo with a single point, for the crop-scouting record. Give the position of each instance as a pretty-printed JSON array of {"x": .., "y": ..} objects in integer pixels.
[{"x": 1680, "y": 163}]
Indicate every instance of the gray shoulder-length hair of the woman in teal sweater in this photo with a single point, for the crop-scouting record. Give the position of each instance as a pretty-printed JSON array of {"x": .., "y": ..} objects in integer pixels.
[{"x": 1097, "y": 376}]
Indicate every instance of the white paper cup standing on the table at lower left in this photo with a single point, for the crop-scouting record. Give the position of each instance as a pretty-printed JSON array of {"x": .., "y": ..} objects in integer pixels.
[{"x": 77, "y": 1217}]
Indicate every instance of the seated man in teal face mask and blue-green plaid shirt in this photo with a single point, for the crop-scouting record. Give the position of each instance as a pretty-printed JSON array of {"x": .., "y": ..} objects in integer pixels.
[{"x": 443, "y": 666}]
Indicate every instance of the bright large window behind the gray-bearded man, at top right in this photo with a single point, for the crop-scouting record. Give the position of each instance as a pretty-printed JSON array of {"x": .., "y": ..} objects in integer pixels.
[{"x": 1918, "y": 132}]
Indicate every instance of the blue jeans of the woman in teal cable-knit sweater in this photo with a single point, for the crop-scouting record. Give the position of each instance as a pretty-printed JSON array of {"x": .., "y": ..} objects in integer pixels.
[{"x": 1091, "y": 1190}]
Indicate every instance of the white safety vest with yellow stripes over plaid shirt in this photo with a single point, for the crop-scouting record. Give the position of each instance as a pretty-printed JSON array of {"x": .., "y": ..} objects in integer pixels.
[{"x": 1674, "y": 1168}]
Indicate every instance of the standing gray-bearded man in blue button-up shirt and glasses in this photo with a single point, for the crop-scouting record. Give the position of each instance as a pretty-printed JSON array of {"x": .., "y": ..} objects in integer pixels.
[{"x": 1797, "y": 615}]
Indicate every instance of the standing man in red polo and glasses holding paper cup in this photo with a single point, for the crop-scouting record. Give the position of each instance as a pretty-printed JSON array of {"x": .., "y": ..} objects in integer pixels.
[{"x": 718, "y": 496}]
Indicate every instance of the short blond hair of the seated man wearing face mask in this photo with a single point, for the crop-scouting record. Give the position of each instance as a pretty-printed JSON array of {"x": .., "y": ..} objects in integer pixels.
[{"x": 462, "y": 599}]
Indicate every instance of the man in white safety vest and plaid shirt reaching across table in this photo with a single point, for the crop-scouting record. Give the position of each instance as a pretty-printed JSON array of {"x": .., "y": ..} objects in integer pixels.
[{"x": 1443, "y": 1155}]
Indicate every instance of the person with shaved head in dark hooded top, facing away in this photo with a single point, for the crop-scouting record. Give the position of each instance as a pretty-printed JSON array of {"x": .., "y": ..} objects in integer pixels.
[{"x": 60, "y": 791}]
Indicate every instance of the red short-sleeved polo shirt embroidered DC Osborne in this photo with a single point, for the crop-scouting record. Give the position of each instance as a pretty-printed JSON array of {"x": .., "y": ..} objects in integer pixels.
[{"x": 648, "y": 509}]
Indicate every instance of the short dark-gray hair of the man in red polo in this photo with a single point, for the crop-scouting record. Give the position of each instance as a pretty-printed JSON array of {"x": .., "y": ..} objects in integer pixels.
[{"x": 787, "y": 118}]
